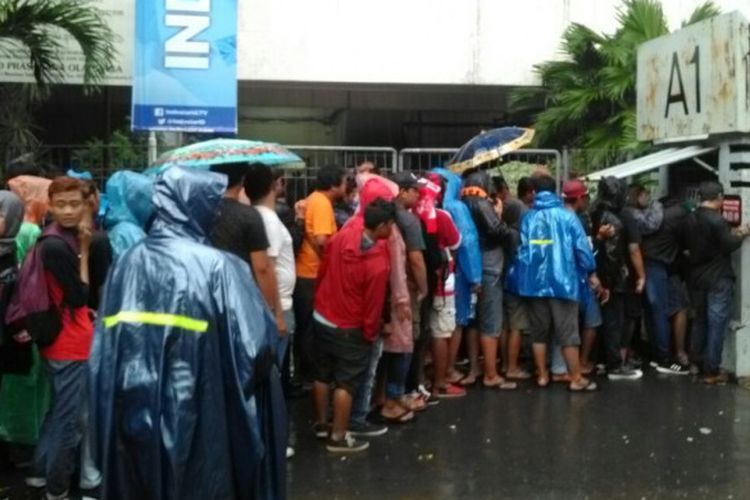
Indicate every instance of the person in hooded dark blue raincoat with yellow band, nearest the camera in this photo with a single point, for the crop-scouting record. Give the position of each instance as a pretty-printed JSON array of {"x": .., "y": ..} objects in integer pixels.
[{"x": 186, "y": 398}]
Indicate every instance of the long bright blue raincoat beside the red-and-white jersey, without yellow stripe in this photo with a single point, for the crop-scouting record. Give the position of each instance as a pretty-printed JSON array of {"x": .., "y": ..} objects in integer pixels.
[{"x": 469, "y": 256}]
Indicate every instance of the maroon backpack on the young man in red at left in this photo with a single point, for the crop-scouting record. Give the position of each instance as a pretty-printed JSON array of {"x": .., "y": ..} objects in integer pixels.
[{"x": 31, "y": 304}]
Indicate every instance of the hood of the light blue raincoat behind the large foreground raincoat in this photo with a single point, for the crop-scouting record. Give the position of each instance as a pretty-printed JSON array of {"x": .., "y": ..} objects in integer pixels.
[{"x": 130, "y": 198}]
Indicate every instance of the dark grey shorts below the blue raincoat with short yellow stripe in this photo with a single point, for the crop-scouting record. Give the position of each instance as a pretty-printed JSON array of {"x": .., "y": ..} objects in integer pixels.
[{"x": 548, "y": 317}]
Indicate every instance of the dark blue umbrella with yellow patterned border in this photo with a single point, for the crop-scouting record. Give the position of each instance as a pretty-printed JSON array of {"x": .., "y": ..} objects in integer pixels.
[{"x": 488, "y": 146}]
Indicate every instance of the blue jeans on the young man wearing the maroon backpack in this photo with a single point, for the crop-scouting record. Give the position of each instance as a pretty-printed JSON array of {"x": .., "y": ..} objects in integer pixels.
[{"x": 56, "y": 455}]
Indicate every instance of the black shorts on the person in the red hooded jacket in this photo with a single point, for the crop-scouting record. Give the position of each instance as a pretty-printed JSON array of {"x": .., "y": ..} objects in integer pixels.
[{"x": 340, "y": 356}]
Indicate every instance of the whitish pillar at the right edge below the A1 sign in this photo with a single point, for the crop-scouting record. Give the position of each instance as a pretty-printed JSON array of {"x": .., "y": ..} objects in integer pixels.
[{"x": 734, "y": 174}]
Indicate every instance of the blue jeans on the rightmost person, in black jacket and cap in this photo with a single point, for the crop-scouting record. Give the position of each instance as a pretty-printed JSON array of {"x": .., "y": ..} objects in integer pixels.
[{"x": 713, "y": 308}]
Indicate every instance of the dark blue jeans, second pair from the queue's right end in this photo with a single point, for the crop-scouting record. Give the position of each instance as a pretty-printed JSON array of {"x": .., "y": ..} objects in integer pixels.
[{"x": 657, "y": 295}]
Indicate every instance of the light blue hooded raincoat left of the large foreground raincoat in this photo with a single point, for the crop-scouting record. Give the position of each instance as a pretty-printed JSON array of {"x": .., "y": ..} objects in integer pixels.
[{"x": 130, "y": 208}]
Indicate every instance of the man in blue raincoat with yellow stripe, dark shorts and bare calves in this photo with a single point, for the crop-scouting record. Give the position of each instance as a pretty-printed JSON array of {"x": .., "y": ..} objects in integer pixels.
[{"x": 554, "y": 251}]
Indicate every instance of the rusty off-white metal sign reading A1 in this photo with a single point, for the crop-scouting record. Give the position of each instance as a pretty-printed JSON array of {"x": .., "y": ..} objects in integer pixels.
[{"x": 694, "y": 83}]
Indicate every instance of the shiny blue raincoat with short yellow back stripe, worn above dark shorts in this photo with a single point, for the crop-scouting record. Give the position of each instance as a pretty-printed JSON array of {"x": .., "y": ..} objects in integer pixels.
[{"x": 554, "y": 252}]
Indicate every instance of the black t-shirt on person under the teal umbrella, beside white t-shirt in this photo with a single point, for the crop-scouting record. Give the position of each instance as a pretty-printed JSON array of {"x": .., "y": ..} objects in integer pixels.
[{"x": 239, "y": 230}]
